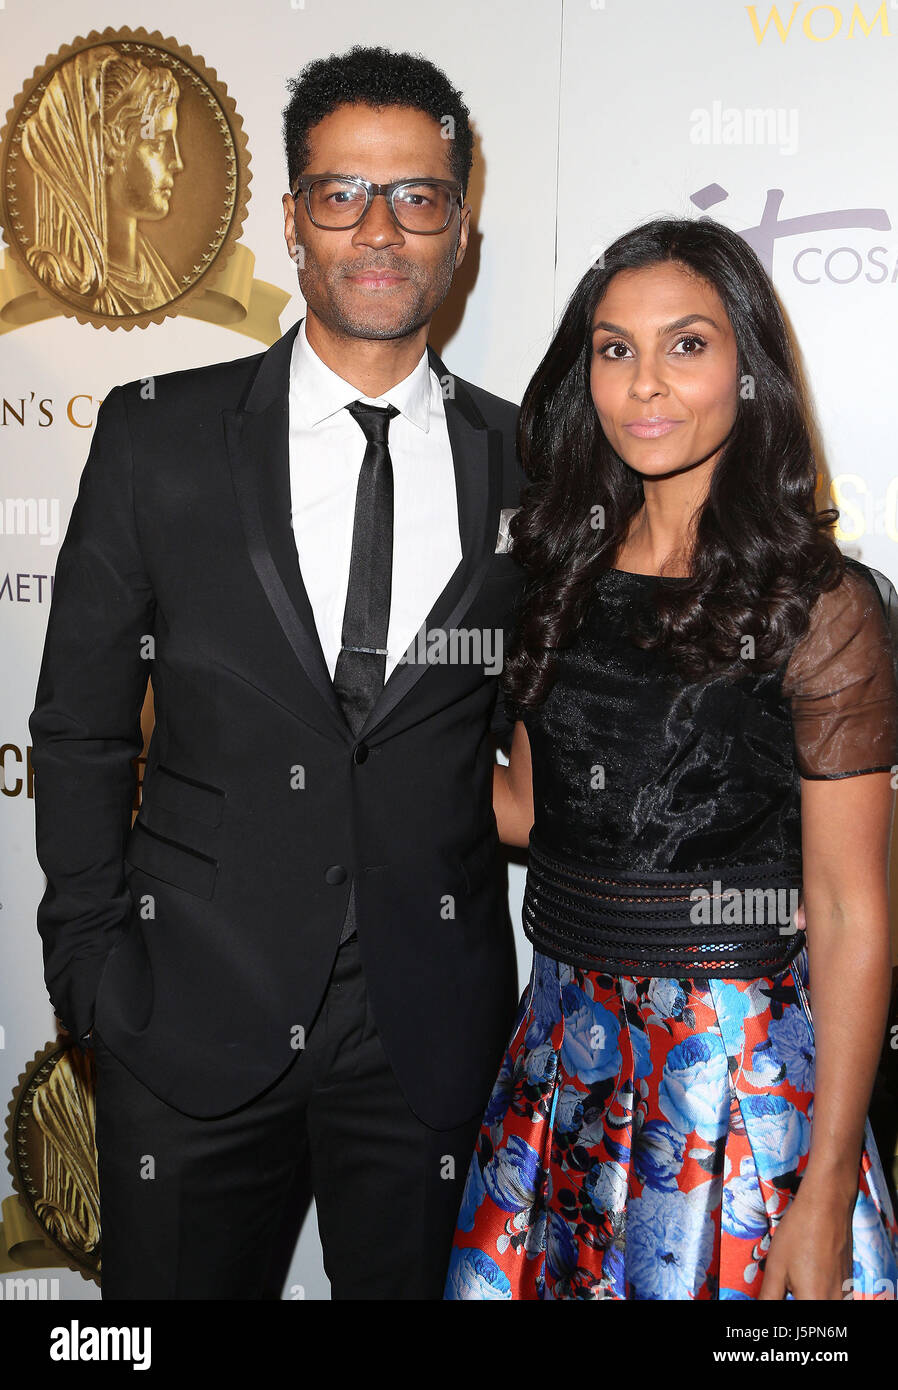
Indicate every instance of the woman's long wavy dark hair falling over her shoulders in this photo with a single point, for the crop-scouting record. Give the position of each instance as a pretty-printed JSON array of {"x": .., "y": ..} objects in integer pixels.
[{"x": 761, "y": 554}]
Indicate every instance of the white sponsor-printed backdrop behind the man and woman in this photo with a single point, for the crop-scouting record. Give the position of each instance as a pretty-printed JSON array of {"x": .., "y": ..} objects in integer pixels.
[{"x": 591, "y": 116}]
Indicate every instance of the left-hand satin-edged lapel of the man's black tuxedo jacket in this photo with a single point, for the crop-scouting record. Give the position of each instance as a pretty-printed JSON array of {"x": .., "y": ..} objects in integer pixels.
[{"x": 258, "y": 439}]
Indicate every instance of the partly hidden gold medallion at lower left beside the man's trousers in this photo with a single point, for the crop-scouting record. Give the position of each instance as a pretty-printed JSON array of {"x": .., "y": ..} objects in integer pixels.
[{"x": 55, "y": 1218}]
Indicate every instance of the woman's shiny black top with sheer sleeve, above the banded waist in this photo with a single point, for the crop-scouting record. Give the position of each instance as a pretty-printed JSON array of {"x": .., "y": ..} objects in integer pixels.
[{"x": 639, "y": 769}]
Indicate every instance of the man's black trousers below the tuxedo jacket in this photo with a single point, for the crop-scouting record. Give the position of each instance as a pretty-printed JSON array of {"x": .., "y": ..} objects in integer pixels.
[{"x": 211, "y": 1209}]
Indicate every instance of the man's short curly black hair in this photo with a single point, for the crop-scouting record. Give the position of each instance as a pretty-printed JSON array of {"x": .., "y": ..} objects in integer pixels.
[{"x": 375, "y": 77}]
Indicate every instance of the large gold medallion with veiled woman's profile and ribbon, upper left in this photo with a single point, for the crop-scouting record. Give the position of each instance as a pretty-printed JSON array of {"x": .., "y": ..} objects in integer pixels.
[{"x": 124, "y": 183}]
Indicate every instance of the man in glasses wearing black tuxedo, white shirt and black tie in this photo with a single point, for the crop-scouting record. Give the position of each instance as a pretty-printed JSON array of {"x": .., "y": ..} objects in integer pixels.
[{"x": 300, "y": 957}]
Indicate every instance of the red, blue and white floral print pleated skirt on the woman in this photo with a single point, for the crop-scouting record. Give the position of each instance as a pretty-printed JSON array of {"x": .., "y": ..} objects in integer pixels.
[{"x": 644, "y": 1139}]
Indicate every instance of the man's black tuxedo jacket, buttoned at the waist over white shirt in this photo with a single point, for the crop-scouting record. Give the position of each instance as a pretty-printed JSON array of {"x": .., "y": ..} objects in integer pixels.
[{"x": 201, "y": 940}]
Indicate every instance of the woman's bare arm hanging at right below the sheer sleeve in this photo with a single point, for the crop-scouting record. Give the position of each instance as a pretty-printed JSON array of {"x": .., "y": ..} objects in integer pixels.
[{"x": 846, "y": 833}]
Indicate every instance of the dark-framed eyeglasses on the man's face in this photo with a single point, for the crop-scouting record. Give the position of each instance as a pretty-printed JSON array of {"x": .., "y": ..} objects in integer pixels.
[{"x": 338, "y": 202}]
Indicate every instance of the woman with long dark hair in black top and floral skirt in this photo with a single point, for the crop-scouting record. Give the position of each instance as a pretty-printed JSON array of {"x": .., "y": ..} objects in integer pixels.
[{"x": 707, "y": 737}]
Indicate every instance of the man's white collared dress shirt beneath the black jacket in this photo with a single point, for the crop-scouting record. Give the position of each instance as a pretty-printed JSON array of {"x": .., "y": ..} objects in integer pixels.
[{"x": 326, "y": 452}]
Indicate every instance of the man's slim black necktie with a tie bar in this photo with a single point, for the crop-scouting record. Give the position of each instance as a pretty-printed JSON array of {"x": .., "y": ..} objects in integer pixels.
[{"x": 362, "y": 662}]
